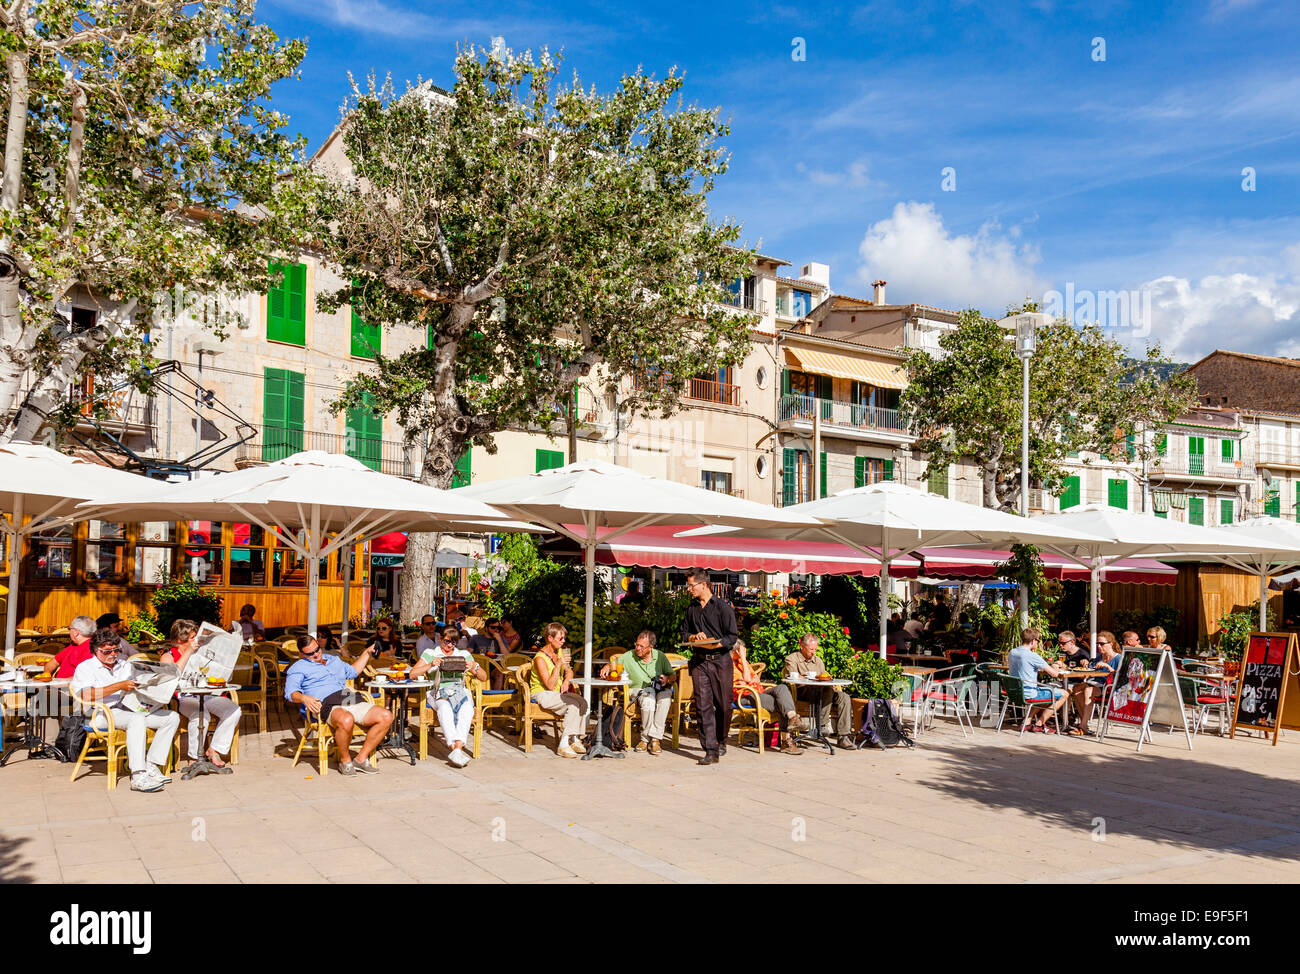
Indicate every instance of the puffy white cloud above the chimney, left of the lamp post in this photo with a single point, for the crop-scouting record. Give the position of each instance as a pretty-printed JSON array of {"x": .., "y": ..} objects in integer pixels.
[{"x": 925, "y": 263}]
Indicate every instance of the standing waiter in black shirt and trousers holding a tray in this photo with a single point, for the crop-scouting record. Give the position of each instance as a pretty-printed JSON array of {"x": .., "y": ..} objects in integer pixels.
[{"x": 710, "y": 668}]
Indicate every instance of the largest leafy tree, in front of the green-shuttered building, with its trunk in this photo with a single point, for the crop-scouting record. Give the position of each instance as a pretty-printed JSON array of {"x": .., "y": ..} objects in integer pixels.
[{"x": 540, "y": 236}]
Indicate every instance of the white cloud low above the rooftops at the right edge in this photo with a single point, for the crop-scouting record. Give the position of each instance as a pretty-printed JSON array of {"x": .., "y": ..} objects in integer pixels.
[{"x": 1242, "y": 313}]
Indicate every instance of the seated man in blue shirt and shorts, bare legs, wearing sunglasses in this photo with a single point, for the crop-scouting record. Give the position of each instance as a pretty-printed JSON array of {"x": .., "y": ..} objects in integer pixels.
[{"x": 319, "y": 682}]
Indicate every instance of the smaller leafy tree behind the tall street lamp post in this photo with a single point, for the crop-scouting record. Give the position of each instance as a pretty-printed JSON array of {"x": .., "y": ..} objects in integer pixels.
[{"x": 1086, "y": 395}]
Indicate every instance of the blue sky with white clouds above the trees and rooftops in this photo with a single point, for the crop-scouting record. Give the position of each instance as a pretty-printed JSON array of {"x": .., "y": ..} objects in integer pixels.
[{"x": 1124, "y": 174}]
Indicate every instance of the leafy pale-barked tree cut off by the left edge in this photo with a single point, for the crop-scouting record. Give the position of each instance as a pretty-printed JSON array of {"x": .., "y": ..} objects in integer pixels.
[{"x": 136, "y": 129}]
